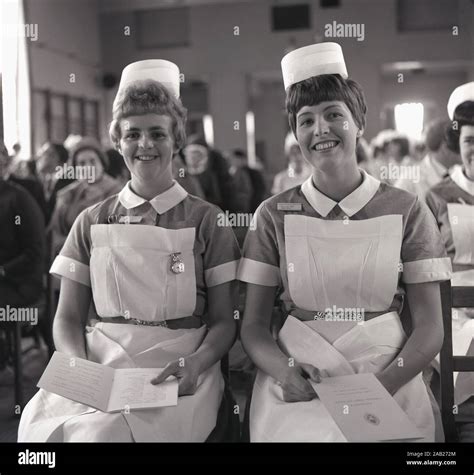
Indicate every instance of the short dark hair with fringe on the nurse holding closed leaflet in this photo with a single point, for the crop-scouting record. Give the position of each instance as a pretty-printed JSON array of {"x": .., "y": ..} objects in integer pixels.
[{"x": 326, "y": 87}]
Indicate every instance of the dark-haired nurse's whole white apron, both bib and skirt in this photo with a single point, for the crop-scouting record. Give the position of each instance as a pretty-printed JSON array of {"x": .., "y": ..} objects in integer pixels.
[{"x": 350, "y": 265}]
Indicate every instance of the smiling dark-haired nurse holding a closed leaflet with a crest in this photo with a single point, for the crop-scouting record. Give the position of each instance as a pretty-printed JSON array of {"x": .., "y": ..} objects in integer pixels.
[{"x": 341, "y": 252}]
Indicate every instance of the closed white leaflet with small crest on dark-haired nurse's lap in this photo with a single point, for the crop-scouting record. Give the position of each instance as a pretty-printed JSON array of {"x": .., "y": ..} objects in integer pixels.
[{"x": 364, "y": 410}]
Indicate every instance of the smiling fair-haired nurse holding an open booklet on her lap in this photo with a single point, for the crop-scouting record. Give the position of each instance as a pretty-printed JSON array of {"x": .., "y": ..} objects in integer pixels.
[{"x": 158, "y": 270}]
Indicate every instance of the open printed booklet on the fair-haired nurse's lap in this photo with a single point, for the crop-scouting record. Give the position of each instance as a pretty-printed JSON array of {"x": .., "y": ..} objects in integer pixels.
[{"x": 106, "y": 388}]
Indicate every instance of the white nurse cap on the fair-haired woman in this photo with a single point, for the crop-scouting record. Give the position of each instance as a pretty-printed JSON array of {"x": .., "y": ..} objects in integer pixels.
[{"x": 160, "y": 70}]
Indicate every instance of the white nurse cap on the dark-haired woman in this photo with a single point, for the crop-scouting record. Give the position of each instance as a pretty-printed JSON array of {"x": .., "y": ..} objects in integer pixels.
[{"x": 313, "y": 60}]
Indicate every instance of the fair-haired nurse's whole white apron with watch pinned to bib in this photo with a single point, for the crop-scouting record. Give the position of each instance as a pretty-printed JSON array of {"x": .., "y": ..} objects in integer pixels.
[{"x": 131, "y": 277}]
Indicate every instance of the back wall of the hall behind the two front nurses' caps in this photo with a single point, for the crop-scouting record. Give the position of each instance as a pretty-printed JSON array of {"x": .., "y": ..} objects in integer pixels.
[{"x": 228, "y": 60}]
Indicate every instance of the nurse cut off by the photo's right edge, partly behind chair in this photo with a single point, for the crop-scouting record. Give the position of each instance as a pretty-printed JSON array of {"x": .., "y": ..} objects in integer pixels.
[{"x": 452, "y": 203}]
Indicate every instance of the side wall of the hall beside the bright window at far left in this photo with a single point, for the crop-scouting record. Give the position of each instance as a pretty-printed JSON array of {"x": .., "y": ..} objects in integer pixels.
[{"x": 68, "y": 43}]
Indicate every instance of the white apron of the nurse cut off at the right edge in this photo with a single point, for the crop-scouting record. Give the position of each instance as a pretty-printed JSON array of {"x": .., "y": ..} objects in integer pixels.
[{"x": 461, "y": 219}]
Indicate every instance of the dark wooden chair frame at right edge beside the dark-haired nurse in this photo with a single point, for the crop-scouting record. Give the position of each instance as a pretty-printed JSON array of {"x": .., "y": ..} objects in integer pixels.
[{"x": 452, "y": 297}]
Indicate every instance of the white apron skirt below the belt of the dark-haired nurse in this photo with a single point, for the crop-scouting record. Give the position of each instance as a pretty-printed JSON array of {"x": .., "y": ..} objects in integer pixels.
[{"x": 366, "y": 348}]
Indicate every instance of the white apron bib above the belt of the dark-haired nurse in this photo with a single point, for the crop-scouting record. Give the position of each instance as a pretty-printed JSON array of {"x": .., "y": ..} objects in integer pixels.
[{"x": 349, "y": 264}]
